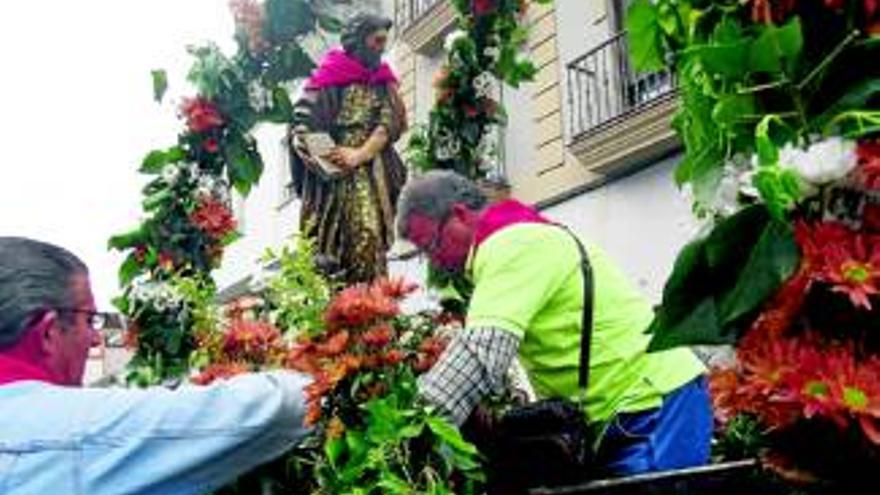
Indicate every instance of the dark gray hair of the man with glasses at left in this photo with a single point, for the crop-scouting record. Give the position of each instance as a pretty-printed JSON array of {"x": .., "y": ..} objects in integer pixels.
[{"x": 34, "y": 276}]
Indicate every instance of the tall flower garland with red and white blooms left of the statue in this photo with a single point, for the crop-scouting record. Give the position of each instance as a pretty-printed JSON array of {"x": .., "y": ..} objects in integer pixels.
[{"x": 188, "y": 220}]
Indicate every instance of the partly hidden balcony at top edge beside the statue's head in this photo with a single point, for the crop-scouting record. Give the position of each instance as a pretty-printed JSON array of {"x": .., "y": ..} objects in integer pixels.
[{"x": 422, "y": 24}]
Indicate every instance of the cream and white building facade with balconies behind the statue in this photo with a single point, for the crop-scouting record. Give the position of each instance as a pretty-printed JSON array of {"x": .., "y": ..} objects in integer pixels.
[{"x": 589, "y": 141}]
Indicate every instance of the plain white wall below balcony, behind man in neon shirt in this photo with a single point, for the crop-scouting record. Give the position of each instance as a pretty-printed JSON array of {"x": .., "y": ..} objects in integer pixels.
[{"x": 642, "y": 221}]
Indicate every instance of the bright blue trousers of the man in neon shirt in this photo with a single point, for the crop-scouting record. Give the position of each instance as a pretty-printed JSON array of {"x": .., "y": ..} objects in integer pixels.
[{"x": 676, "y": 435}]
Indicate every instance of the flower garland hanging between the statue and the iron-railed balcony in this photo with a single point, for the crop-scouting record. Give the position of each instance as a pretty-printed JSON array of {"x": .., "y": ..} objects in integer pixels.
[{"x": 484, "y": 51}]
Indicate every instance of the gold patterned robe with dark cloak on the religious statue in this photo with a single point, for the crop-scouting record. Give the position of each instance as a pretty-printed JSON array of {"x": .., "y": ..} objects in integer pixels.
[{"x": 351, "y": 217}]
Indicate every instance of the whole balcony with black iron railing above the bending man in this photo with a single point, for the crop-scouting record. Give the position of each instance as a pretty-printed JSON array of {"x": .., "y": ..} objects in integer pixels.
[{"x": 617, "y": 117}]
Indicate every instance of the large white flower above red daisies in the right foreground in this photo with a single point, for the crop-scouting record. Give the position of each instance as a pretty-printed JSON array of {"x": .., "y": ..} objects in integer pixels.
[{"x": 823, "y": 162}]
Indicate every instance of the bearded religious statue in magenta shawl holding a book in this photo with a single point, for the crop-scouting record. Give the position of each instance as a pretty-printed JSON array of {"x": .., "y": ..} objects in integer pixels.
[{"x": 343, "y": 163}]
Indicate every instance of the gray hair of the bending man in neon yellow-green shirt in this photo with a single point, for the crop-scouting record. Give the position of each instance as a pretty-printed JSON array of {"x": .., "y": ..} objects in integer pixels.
[{"x": 432, "y": 195}]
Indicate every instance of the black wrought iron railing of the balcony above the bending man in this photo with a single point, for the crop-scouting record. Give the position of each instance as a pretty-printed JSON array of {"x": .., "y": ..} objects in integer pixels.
[{"x": 602, "y": 86}]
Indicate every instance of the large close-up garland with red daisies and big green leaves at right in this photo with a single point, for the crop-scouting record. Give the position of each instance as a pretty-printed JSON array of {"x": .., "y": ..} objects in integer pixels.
[{"x": 782, "y": 141}]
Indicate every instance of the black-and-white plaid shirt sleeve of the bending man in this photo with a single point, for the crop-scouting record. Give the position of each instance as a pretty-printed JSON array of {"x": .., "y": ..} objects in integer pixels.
[{"x": 474, "y": 366}]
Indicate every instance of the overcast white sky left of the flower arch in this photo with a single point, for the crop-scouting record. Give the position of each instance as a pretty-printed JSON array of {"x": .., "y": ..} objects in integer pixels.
[{"x": 77, "y": 115}]
